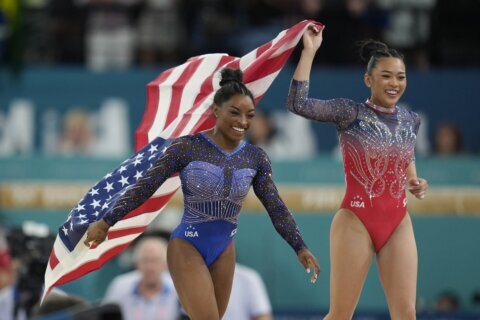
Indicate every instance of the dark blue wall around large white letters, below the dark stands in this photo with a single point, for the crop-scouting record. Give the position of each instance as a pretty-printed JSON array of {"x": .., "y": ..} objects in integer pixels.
[{"x": 442, "y": 94}]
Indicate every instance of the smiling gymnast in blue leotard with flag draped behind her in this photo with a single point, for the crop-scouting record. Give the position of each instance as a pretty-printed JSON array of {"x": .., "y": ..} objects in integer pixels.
[{"x": 216, "y": 168}]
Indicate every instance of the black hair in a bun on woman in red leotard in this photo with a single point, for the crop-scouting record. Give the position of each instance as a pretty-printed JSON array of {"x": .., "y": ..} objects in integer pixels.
[{"x": 371, "y": 51}]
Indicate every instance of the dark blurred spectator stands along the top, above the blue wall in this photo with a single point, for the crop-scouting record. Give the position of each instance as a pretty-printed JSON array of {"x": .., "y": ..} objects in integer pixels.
[{"x": 118, "y": 34}]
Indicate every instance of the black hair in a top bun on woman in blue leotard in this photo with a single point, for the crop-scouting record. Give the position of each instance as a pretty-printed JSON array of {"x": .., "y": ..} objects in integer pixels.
[{"x": 230, "y": 85}]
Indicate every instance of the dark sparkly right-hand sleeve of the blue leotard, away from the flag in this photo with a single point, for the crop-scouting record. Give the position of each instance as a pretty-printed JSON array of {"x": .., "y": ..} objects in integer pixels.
[{"x": 282, "y": 219}]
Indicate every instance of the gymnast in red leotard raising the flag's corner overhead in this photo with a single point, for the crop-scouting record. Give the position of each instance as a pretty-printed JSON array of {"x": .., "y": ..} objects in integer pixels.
[{"x": 377, "y": 138}]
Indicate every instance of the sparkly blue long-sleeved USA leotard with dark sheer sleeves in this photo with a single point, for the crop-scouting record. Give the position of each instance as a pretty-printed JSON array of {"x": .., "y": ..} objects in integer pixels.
[{"x": 214, "y": 184}]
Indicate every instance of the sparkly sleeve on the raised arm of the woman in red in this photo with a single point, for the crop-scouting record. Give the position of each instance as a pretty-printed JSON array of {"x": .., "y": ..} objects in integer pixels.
[{"x": 342, "y": 112}]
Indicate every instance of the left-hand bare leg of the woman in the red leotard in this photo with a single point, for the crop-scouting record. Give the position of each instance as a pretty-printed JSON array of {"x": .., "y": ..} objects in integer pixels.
[{"x": 351, "y": 254}]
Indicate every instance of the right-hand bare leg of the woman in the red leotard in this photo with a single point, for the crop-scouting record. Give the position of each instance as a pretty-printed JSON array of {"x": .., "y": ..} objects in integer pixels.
[{"x": 397, "y": 265}]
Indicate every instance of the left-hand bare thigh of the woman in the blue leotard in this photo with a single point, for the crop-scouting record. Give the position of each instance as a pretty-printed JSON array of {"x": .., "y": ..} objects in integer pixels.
[{"x": 192, "y": 280}]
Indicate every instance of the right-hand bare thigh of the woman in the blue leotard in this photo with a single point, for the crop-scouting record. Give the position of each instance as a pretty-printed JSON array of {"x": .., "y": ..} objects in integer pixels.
[{"x": 222, "y": 275}]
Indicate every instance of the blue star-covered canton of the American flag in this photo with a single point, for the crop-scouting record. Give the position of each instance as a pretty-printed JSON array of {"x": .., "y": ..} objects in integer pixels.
[{"x": 101, "y": 197}]
